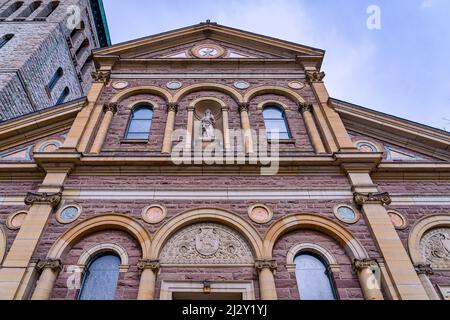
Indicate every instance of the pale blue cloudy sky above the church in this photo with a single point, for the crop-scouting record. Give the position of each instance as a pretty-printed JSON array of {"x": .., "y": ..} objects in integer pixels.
[{"x": 392, "y": 56}]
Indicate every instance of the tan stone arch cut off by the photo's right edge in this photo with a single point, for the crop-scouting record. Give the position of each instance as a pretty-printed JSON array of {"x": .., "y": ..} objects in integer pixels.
[{"x": 418, "y": 231}]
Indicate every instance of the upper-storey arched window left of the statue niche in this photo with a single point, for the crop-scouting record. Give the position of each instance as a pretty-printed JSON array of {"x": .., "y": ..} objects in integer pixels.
[{"x": 140, "y": 123}]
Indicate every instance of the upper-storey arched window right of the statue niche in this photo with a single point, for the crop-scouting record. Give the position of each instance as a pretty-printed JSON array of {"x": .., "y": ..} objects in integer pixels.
[{"x": 275, "y": 122}]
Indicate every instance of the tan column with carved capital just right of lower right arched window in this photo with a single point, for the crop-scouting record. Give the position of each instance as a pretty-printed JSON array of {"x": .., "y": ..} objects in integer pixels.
[{"x": 369, "y": 276}]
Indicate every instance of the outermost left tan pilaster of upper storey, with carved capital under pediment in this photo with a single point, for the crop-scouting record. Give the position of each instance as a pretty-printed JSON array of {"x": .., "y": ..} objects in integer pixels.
[{"x": 79, "y": 135}]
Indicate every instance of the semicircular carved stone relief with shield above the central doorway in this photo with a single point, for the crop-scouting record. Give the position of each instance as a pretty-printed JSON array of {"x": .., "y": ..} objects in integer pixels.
[{"x": 206, "y": 243}]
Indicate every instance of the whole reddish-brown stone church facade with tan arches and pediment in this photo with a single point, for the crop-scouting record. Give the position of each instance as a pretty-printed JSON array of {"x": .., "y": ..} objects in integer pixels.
[{"x": 210, "y": 163}]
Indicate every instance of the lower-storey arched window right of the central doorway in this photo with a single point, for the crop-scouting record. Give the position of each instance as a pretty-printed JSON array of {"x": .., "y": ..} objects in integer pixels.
[{"x": 313, "y": 278}]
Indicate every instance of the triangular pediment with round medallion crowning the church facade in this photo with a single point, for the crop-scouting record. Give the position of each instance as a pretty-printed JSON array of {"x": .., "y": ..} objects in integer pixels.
[{"x": 209, "y": 40}]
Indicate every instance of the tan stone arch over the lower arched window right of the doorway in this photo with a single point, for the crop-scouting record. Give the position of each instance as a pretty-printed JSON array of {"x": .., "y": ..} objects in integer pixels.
[{"x": 308, "y": 221}]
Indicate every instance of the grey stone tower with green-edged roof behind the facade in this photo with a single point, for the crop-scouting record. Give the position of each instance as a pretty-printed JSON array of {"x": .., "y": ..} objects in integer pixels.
[{"x": 45, "y": 52}]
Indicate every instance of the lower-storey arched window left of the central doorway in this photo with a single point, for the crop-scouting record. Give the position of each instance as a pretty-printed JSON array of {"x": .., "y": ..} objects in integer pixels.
[{"x": 100, "y": 280}]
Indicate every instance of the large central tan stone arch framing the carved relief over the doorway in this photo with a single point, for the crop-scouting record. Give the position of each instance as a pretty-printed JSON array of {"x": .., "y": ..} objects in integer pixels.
[{"x": 219, "y": 216}]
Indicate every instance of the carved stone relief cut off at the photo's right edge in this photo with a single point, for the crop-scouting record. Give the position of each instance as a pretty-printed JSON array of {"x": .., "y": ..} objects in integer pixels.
[{"x": 435, "y": 248}]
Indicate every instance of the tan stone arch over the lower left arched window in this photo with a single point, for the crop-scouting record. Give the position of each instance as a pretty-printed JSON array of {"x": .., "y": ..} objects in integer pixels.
[{"x": 97, "y": 223}]
